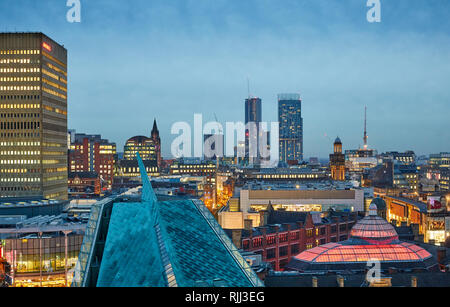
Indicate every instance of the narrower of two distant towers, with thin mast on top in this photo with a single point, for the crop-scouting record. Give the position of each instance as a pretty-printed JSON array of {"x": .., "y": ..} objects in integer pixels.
[{"x": 253, "y": 115}]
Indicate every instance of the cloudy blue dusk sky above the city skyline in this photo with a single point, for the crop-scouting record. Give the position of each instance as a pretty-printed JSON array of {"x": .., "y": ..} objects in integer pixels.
[{"x": 132, "y": 61}]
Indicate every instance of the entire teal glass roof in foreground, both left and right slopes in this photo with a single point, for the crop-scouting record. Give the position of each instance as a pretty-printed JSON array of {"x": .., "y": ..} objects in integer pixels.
[{"x": 132, "y": 256}]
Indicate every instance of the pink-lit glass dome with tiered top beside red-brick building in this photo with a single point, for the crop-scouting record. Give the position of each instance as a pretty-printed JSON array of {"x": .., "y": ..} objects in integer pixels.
[{"x": 372, "y": 238}]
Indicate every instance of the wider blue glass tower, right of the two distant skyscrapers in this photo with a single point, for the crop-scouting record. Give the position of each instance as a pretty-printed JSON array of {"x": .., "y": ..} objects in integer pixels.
[{"x": 291, "y": 127}]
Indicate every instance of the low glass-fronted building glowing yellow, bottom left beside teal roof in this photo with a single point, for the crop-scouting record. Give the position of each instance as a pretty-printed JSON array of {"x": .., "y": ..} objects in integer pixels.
[{"x": 41, "y": 256}]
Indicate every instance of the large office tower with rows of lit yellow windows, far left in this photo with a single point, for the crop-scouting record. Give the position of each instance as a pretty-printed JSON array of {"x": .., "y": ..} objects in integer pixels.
[{"x": 33, "y": 116}]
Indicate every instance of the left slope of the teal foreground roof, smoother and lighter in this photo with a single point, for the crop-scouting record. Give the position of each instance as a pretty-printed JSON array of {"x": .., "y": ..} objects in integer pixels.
[{"x": 131, "y": 257}]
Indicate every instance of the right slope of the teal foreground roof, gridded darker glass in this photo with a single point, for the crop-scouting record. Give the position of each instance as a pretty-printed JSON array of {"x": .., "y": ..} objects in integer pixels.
[{"x": 195, "y": 249}]
